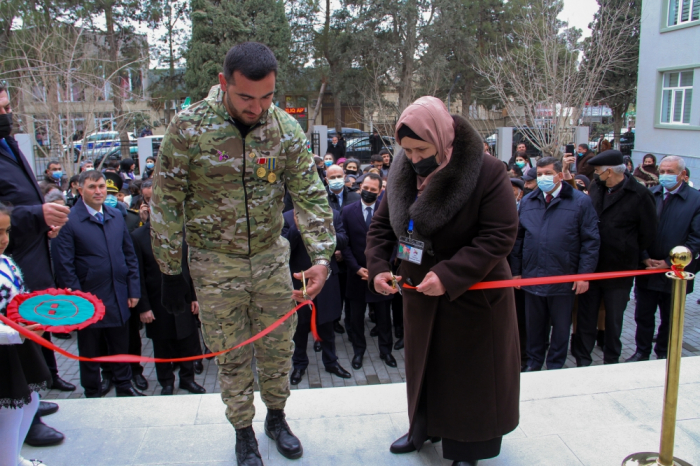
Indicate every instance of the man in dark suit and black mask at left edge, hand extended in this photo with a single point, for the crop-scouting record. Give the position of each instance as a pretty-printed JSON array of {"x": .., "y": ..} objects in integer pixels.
[{"x": 33, "y": 222}]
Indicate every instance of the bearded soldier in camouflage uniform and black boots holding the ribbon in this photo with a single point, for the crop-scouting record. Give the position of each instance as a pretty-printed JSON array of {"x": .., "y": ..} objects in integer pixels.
[{"x": 222, "y": 171}]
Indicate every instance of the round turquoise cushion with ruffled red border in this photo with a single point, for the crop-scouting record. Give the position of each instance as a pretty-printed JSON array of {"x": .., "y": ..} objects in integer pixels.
[{"x": 57, "y": 310}]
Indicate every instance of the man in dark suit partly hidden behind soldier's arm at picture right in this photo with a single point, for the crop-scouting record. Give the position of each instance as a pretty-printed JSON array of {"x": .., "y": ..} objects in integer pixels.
[{"x": 328, "y": 302}]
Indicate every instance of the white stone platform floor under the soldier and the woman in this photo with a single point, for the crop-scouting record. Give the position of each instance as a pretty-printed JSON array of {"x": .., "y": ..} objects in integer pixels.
[{"x": 592, "y": 416}]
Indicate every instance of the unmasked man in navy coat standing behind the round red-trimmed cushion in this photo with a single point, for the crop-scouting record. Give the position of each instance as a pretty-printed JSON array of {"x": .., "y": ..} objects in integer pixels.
[{"x": 93, "y": 252}]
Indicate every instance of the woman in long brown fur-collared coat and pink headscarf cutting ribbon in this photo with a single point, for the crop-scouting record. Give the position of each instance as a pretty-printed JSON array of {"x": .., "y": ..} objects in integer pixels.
[{"x": 462, "y": 351}]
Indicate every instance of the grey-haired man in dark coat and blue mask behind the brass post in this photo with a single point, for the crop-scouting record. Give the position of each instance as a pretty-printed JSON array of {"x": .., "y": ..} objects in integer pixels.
[{"x": 678, "y": 207}]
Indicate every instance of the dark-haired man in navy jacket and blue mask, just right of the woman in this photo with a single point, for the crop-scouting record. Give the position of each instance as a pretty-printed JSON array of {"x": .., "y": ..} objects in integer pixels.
[{"x": 557, "y": 235}]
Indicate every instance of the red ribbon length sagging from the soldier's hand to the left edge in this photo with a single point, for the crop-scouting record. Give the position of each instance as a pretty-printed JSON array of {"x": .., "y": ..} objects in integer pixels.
[{"x": 131, "y": 358}]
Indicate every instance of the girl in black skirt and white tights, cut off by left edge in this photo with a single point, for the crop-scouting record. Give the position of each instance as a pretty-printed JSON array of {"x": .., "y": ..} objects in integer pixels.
[{"x": 23, "y": 371}]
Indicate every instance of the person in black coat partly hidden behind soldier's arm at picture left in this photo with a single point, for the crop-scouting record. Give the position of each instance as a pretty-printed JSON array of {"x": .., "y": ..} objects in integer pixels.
[{"x": 173, "y": 335}]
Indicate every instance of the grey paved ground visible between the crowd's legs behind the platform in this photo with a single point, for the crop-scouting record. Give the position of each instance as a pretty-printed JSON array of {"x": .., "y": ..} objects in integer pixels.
[{"x": 374, "y": 371}]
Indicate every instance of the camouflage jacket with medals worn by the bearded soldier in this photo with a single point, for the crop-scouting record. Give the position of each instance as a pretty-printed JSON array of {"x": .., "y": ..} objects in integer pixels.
[{"x": 229, "y": 192}]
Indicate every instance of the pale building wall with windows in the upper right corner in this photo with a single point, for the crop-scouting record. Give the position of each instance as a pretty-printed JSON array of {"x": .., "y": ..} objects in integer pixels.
[{"x": 659, "y": 50}]
